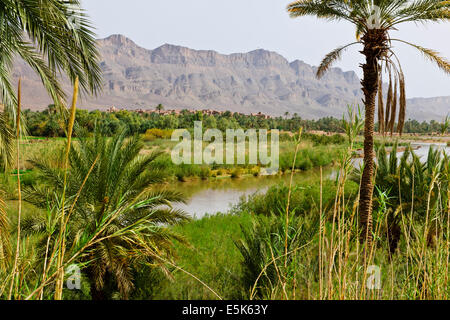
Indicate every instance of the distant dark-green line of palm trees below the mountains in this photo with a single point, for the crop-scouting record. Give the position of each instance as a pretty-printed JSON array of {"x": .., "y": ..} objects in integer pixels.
[{"x": 49, "y": 123}]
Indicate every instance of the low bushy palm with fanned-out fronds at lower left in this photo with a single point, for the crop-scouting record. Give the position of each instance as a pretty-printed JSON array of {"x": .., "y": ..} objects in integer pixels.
[{"x": 122, "y": 184}]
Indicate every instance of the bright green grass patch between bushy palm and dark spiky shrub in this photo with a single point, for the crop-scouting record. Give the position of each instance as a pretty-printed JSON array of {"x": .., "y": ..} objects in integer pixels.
[{"x": 212, "y": 257}]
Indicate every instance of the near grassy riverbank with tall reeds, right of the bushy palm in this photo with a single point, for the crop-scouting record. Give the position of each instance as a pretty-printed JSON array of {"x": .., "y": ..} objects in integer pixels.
[{"x": 240, "y": 253}]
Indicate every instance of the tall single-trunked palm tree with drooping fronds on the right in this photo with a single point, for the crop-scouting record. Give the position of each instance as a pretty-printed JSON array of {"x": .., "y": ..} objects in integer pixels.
[{"x": 373, "y": 21}]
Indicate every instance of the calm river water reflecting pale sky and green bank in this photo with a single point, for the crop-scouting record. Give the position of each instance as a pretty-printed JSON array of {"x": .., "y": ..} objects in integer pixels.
[{"x": 219, "y": 195}]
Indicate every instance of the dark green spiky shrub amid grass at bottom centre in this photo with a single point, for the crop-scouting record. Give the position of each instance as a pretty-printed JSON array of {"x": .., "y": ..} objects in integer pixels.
[{"x": 264, "y": 240}]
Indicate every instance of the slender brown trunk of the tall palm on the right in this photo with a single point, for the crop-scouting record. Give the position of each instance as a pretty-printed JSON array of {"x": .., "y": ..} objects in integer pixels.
[{"x": 374, "y": 41}]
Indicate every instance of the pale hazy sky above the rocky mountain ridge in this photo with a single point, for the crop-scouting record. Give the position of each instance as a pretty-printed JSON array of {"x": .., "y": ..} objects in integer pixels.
[{"x": 229, "y": 26}]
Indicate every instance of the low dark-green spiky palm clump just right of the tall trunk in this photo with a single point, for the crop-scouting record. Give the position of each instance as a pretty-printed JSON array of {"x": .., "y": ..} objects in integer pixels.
[{"x": 406, "y": 179}]
